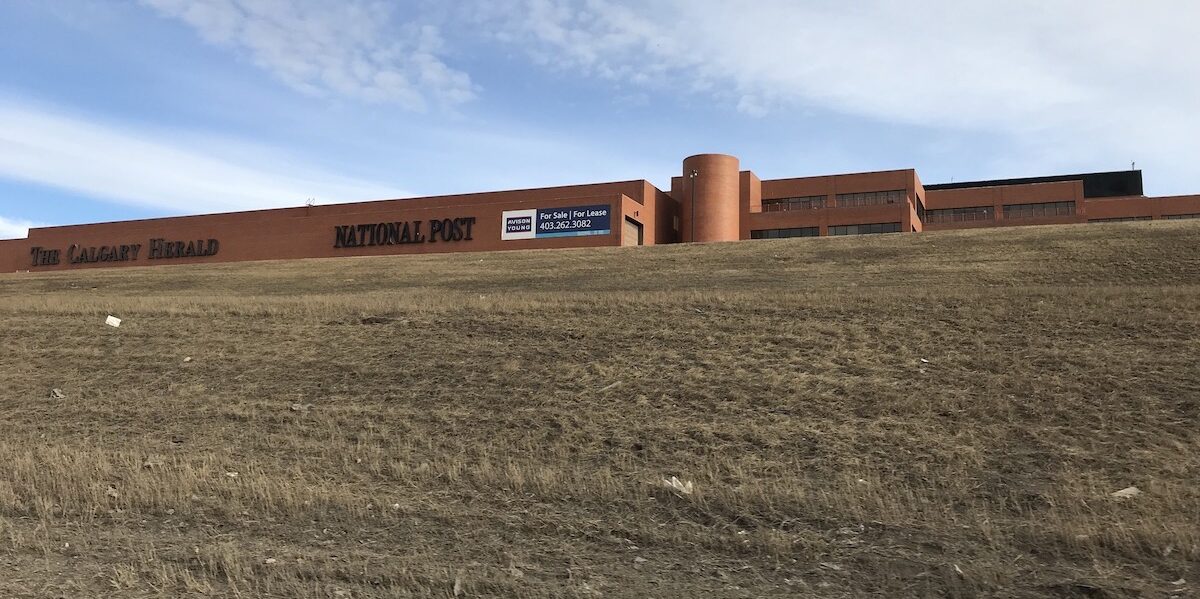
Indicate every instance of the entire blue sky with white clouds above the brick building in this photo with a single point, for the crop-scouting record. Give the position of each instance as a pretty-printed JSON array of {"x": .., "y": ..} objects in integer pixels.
[{"x": 115, "y": 110}]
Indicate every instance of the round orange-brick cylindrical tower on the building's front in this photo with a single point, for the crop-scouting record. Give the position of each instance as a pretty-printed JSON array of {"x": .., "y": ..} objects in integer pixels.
[{"x": 711, "y": 201}]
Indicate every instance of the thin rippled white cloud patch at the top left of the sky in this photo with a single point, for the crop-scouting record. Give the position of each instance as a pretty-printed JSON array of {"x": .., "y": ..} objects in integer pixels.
[{"x": 352, "y": 49}]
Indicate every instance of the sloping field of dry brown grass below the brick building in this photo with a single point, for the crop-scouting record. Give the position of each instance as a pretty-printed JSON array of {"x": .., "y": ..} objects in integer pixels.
[{"x": 896, "y": 416}]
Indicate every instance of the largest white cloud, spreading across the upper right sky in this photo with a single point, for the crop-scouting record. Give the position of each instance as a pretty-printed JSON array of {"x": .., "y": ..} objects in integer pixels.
[{"x": 1082, "y": 79}]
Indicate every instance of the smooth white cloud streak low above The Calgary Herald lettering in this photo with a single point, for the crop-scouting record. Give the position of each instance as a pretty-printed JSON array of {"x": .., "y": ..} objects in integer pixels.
[{"x": 165, "y": 170}]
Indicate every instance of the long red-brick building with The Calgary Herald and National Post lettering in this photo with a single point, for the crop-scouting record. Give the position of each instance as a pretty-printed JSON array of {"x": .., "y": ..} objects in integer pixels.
[{"x": 713, "y": 200}]
